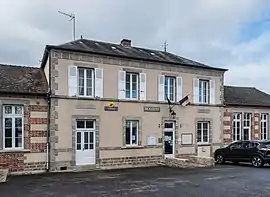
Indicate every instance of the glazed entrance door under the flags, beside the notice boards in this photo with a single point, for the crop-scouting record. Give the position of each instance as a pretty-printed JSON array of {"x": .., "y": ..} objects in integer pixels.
[{"x": 169, "y": 139}]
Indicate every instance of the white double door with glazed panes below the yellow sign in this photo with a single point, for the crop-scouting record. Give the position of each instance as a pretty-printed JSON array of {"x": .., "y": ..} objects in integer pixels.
[{"x": 85, "y": 143}]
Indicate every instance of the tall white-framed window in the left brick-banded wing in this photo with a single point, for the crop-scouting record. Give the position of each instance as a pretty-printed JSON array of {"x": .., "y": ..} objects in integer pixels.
[{"x": 13, "y": 127}]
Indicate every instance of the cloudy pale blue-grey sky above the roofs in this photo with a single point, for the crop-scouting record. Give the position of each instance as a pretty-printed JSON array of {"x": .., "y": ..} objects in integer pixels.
[{"x": 233, "y": 34}]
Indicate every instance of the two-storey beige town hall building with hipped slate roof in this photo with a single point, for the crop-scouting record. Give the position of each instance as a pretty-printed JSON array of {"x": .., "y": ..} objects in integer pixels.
[{"x": 112, "y": 105}]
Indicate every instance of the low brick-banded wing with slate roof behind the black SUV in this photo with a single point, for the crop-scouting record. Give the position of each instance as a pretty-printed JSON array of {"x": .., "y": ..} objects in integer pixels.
[{"x": 246, "y": 114}]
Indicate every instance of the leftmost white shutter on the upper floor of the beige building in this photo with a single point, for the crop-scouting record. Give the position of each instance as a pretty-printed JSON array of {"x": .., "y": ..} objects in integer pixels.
[{"x": 72, "y": 80}]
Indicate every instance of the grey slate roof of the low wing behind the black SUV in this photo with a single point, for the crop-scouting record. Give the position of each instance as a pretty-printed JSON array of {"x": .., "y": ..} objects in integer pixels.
[{"x": 245, "y": 96}]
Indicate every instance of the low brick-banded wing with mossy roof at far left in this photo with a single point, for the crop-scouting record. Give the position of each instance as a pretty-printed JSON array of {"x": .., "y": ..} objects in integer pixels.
[{"x": 23, "y": 117}]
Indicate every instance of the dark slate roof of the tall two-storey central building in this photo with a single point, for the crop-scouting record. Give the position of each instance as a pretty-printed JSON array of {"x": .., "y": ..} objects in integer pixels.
[{"x": 112, "y": 49}]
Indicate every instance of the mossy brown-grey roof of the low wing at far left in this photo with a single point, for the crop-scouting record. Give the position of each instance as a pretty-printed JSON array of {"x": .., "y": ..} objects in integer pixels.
[{"x": 22, "y": 79}]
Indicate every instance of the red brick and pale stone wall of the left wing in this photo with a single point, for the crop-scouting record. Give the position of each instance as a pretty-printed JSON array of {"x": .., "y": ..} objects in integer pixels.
[{"x": 33, "y": 156}]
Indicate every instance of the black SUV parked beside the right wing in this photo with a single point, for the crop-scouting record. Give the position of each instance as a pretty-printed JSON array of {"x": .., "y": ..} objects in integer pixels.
[{"x": 254, "y": 151}]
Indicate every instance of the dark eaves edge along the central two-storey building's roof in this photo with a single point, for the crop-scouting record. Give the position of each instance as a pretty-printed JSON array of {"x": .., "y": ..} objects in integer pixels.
[{"x": 49, "y": 47}]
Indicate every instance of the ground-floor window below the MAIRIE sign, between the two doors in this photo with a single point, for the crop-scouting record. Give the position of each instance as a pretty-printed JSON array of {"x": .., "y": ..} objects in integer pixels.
[{"x": 132, "y": 132}]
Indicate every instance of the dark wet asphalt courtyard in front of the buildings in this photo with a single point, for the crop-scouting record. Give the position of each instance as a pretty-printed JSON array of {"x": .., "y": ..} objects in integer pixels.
[{"x": 225, "y": 180}]
